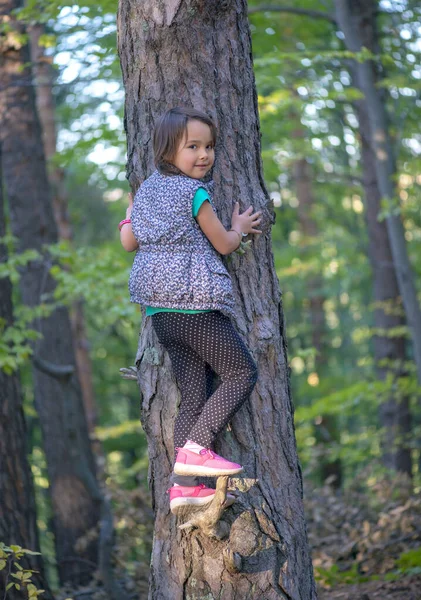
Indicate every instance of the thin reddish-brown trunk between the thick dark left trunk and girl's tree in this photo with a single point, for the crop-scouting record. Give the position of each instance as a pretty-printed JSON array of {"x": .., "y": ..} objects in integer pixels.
[{"x": 43, "y": 78}]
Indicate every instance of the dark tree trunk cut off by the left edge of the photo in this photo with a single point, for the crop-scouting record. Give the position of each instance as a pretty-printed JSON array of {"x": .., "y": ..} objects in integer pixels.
[{"x": 17, "y": 499}]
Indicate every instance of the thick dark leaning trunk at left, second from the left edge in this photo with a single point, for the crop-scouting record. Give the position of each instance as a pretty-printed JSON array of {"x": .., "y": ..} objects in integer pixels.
[{"x": 74, "y": 491}]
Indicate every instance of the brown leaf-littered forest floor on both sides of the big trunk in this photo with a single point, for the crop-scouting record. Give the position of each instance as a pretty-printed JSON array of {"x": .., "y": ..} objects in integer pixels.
[{"x": 366, "y": 541}]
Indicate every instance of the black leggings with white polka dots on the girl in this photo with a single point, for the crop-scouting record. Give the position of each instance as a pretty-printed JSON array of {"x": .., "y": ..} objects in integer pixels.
[{"x": 200, "y": 346}]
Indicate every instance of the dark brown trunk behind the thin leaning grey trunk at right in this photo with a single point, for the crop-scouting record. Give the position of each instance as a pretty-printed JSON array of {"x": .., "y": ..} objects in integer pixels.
[{"x": 389, "y": 351}]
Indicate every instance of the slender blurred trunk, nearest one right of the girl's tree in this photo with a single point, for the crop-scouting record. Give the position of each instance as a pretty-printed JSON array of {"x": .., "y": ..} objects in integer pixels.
[{"x": 326, "y": 428}]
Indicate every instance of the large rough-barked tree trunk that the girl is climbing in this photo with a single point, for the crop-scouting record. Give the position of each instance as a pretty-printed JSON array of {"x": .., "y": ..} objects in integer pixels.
[{"x": 198, "y": 54}]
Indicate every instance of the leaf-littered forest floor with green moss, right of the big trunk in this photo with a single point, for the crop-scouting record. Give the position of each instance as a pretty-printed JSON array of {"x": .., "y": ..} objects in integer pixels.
[{"x": 366, "y": 542}]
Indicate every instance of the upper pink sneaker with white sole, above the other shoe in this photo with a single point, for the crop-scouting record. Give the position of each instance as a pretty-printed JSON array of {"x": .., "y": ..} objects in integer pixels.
[{"x": 205, "y": 463}]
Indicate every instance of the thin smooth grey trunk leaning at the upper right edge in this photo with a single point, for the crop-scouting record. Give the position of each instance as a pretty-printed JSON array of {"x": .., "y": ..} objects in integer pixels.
[{"x": 353, "y": 18}]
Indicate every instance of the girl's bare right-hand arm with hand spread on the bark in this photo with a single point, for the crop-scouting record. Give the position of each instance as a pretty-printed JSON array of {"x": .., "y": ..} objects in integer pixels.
[{"x": 222, "y": 240}]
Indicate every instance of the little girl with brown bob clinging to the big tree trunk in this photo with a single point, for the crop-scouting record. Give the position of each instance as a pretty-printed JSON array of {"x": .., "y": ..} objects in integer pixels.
[{"x": 179, "y": 277}]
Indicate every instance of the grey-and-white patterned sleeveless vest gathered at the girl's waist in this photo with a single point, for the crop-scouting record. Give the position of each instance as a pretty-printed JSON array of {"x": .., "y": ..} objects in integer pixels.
[{"x": 175, "y": 266}]
